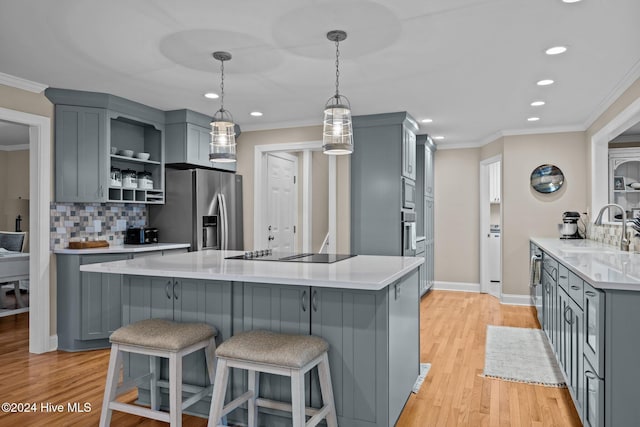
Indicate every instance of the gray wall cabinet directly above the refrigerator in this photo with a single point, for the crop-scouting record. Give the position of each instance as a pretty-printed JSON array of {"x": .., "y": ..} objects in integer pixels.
[{"x": 188, "y": 140}]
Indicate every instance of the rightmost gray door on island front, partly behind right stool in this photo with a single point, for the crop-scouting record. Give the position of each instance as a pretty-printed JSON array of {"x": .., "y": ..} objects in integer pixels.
[{"x": 355, "y": 325}]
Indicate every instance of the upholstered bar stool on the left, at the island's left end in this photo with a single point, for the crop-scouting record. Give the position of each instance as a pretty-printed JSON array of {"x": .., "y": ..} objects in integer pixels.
[{"x": 158, "y": 338}]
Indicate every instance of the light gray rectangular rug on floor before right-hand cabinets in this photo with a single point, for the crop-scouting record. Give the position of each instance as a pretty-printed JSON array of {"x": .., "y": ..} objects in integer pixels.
[{"x": 521, "y": 355}]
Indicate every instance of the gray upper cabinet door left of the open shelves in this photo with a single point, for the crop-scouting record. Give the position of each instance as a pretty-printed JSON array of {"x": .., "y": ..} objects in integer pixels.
[{"x": 81, "y": 154}]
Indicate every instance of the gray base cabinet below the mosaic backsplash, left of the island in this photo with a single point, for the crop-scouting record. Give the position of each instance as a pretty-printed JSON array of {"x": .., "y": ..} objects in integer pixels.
[{"x": 88, "y": 304}]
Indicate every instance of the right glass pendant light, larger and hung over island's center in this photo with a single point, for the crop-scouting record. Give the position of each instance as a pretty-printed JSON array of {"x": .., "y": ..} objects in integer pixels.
[{"x": 337, "y": 133}]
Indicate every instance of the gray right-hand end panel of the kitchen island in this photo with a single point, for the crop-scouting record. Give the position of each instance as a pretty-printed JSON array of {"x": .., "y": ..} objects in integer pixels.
[{"x": 404, "y": 345}]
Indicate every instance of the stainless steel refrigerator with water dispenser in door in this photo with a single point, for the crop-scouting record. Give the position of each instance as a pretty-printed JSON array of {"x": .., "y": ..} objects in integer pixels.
[{"x": 202, "y": 207}]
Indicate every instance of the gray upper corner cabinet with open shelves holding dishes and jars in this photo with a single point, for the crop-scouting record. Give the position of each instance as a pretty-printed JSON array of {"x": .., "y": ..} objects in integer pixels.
[{"x": 87, "y": 126}]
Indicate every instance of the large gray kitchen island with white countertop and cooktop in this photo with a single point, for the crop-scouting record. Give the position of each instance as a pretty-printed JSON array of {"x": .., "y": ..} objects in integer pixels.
[{"x": 366, "y": 307}]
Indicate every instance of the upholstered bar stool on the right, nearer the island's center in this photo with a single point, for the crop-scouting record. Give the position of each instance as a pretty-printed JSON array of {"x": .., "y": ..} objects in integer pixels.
[{"x": 280, "y": 354}]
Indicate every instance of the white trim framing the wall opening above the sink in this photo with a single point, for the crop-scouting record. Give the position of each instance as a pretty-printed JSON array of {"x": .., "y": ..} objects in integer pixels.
[{"x": 600, "y": 153}]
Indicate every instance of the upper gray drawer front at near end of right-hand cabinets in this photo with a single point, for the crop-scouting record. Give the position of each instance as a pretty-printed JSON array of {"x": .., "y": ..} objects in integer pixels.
[{"x": 593, "y": 306}]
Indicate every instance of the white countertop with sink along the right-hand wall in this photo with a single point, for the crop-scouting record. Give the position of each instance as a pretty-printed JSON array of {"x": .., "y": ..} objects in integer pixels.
[{"x": 603, "y": 266}]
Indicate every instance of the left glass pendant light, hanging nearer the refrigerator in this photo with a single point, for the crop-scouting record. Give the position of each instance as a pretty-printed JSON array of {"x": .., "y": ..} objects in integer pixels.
[{"x": 223, "y": 135}]
